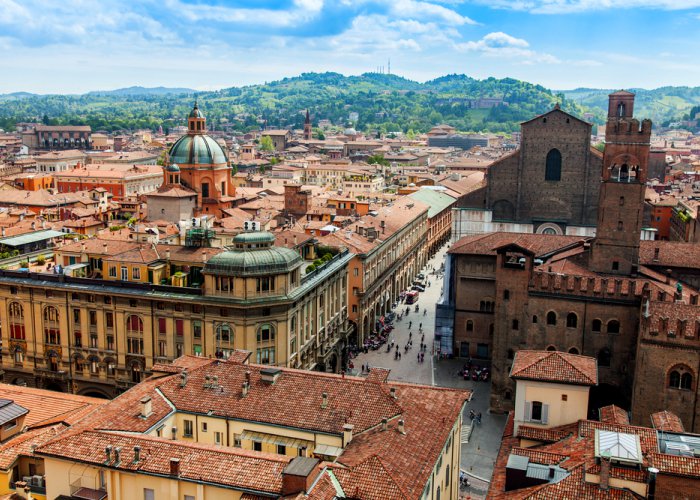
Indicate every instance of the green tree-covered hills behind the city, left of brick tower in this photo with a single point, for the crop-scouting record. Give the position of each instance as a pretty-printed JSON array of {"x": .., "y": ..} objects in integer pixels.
[{"x": 383, "y": 103}]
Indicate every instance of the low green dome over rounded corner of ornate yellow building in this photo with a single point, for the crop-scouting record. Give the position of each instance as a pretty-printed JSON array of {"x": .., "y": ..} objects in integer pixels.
[{"x": 253, "y": 262}]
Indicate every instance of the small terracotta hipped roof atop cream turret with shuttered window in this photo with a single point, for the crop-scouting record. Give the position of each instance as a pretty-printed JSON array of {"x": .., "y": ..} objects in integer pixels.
[{"x": 555, "y": 366}]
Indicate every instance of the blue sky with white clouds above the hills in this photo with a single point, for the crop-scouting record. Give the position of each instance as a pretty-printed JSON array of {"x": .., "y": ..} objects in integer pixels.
[{"x": 73, "y": 46}]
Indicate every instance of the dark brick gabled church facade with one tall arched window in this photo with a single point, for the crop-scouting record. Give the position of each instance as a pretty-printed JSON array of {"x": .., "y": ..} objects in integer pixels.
[{"x": 549, "y": 185}]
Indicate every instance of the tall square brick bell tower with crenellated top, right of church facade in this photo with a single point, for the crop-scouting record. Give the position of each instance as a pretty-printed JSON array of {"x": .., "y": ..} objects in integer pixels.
[{"x": 615, "y": 249}]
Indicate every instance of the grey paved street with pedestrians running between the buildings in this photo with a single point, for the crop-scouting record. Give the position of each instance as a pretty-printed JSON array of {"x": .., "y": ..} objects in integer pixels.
[{"x": 479, "y": 454}]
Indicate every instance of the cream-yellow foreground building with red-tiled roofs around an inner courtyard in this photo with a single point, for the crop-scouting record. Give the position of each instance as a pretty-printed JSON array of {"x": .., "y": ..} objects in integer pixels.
[{"x": 208, "y": 429}]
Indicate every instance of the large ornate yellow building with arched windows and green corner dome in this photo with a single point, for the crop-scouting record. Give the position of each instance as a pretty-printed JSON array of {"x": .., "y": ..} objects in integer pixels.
[{"x": 100, "y": 336}]
